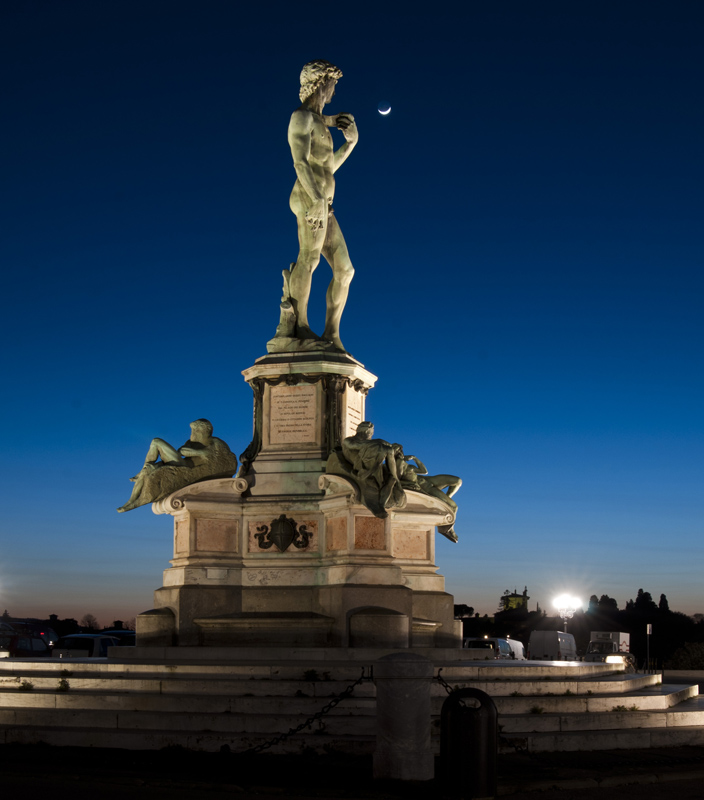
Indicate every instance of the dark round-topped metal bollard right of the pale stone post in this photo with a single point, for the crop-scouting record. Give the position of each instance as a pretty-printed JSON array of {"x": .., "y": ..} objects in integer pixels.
[{"x": 469, "y": 739}]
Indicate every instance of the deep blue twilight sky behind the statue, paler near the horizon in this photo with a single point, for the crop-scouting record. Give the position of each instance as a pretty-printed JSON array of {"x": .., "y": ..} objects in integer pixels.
[{"x": 526, "y": 227}]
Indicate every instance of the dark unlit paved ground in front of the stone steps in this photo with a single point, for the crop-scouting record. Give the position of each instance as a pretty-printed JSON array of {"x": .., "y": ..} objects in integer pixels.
[{"x": 31, "y": 771}]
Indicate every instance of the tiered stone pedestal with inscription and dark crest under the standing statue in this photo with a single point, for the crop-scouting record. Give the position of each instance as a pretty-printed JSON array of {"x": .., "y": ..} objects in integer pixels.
[{"x": 284, "y": 554}]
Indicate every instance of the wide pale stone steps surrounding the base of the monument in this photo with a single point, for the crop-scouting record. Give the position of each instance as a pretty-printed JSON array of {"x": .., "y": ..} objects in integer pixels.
[{"x": 210, "y": 705}]
